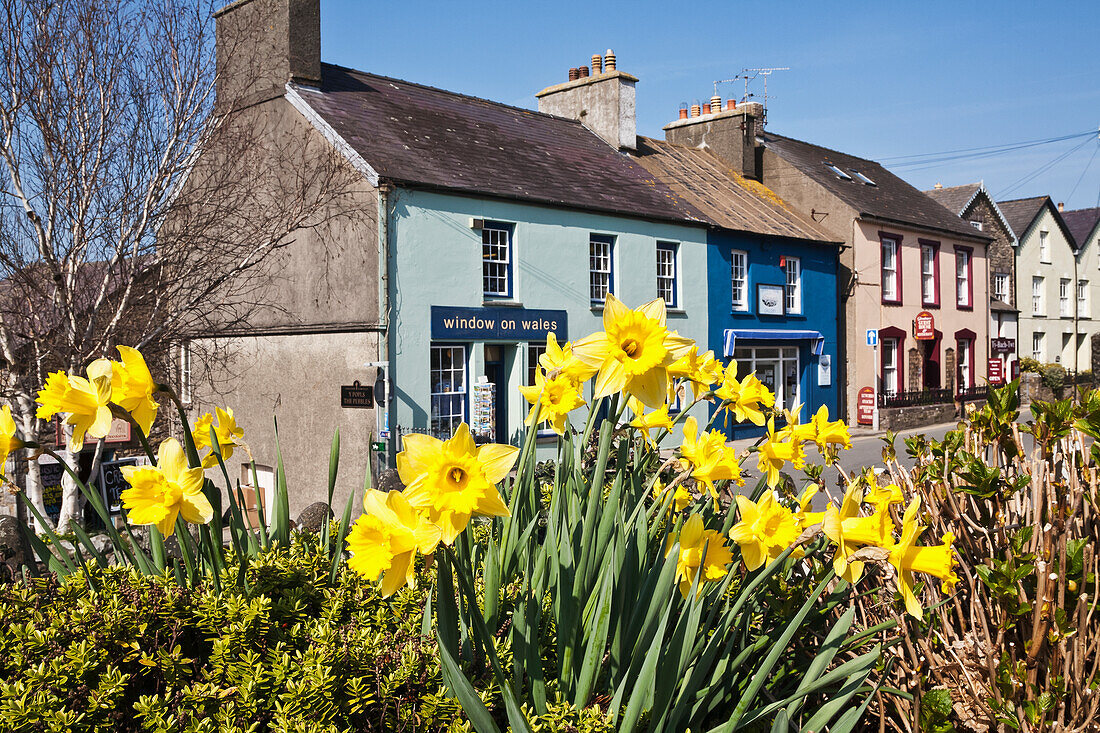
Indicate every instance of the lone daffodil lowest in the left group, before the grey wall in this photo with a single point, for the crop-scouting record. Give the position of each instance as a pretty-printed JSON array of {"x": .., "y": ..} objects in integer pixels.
[{"x": 159, "y": 495}]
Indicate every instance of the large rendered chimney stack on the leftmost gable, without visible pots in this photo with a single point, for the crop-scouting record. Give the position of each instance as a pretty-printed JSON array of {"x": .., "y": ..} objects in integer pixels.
[{"x": 265, "y": 45}]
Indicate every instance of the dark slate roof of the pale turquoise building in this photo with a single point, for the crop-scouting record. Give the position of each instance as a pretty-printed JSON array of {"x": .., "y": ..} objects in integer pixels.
[{"x": 421, "y": 136}]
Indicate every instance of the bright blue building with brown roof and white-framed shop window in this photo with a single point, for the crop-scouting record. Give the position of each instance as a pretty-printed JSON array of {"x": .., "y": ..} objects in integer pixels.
[{"x": 772, "y": 278}]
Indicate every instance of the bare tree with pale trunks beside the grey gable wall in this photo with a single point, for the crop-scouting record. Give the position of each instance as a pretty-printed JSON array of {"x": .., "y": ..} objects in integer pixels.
[{"x": 135, "y": 209}]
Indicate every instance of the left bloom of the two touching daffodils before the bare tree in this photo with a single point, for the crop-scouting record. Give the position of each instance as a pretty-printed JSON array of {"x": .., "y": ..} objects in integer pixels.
[{"x": 85, "y": 400}]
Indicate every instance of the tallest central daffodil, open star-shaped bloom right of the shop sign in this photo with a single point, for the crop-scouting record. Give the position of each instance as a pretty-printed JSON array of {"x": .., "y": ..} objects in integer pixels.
[{"x": 633, "y": 353}]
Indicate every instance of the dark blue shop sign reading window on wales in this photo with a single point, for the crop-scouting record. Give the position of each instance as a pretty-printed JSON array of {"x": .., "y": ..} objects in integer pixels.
[{"x": 497, "y": 324}]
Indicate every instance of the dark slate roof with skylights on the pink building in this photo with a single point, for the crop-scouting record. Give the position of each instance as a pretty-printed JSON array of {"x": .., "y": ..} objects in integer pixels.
[{"x": 890, "y": 199}]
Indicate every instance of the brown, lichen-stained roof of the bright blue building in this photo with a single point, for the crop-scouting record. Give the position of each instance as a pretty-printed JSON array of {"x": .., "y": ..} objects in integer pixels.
[{"x": 724, "y": 198}]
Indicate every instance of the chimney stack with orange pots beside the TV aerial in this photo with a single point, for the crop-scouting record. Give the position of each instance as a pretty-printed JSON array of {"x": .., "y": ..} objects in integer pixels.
[{"x": 730, "y": 134}]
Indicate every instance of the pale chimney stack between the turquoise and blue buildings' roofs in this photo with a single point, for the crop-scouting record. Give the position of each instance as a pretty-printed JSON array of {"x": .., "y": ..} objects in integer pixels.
[{"x": 603, "y": 103}]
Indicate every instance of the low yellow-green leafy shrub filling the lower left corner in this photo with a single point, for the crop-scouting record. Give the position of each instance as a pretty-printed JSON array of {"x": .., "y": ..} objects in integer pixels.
[{"x": 293, "y": 652}]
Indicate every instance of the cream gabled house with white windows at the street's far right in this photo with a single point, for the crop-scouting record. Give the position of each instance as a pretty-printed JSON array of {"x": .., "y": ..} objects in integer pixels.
[{"x": 1053, "y": 288}]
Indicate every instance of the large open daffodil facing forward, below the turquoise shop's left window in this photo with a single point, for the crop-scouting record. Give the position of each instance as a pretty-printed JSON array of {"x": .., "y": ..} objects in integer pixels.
[{"x": 455, "y": 479}]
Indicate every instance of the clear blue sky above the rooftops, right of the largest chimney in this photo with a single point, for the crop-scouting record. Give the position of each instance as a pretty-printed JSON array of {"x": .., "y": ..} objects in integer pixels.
[{"x": 877, "y": 80}]
